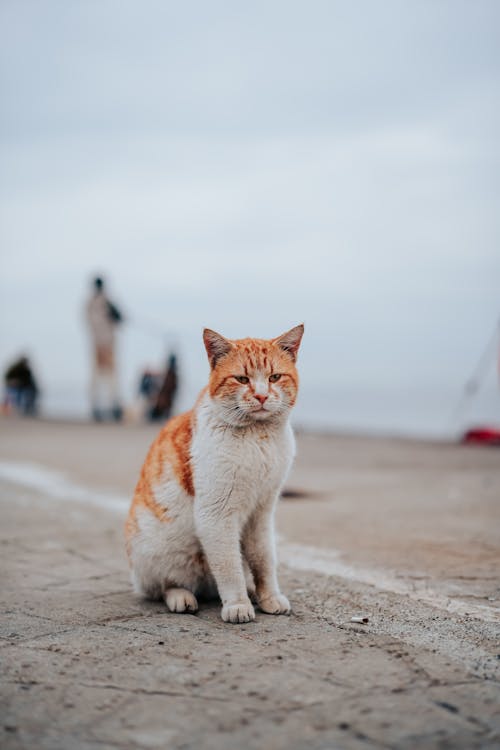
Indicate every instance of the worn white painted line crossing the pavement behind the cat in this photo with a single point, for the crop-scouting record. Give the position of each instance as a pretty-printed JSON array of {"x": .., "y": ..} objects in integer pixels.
[{"x": 298, "y": 556}]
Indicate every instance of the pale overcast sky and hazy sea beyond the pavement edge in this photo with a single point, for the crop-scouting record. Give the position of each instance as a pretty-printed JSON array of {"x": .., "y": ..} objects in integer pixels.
[{"x": 247, "y": 168}]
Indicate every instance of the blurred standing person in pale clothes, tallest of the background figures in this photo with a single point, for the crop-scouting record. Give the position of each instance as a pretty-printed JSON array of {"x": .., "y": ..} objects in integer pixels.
[{"x": 103, "y": 317}]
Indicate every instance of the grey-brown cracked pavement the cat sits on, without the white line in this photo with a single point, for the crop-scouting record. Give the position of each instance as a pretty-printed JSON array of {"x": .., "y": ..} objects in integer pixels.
[{"x": 87, "y": 665}]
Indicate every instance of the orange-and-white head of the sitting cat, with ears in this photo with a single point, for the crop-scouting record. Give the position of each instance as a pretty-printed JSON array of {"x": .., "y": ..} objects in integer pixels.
[{"x": 253, "y": 380}]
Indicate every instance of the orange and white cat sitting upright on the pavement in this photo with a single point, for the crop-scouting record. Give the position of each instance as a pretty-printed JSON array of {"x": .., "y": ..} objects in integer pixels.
[{"x": 202, "y": 518}]
